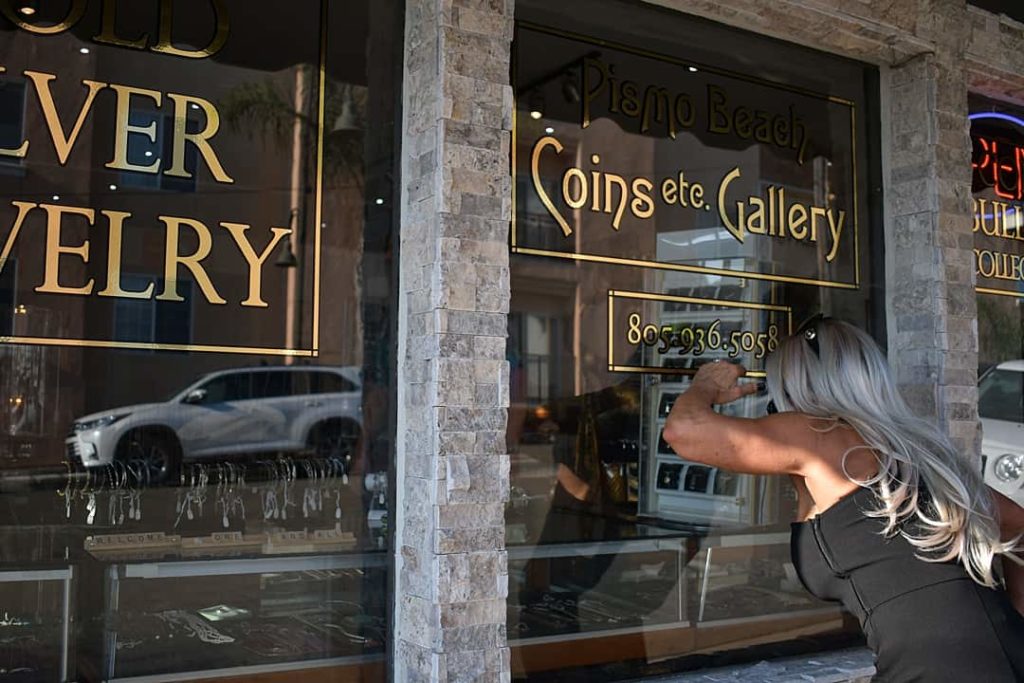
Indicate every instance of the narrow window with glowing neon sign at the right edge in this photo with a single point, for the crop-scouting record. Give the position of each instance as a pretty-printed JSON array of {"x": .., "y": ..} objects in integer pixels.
[{"x": 998, "y": 160}]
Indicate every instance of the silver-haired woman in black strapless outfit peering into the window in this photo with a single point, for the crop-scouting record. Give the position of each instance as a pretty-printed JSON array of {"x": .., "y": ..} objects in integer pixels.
[{"x": 894, "y": 522}]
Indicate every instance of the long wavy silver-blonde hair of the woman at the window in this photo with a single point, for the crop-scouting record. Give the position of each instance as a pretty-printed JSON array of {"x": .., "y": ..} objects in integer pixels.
[{"x": 848, "y": 381}]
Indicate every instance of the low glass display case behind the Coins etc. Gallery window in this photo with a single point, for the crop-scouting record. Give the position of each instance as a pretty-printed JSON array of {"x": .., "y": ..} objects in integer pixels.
[{"x": 661, "y": 594}]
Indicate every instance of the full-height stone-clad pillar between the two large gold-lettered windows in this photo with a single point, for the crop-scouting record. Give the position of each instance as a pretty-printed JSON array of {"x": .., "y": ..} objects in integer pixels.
[{"x": 453, "y": 467}]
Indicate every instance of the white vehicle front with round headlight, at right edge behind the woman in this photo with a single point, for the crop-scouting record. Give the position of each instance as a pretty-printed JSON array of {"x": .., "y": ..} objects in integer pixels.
[{"x": 1001, "y": 405}]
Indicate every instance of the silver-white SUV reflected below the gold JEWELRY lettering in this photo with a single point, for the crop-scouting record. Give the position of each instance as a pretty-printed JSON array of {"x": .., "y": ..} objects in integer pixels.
[{"x": 228, "y": 413}]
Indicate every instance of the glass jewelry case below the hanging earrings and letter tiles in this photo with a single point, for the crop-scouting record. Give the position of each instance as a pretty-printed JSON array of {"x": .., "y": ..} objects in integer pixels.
[{"x": 207, "y": 619}]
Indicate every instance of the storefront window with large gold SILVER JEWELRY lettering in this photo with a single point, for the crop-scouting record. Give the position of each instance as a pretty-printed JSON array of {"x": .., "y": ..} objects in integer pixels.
[{"x": 196, "y": 362}]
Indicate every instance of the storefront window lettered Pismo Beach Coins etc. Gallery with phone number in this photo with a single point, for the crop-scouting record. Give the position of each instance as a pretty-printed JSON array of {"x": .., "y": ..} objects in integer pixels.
[{"x": 685, "y": 193}]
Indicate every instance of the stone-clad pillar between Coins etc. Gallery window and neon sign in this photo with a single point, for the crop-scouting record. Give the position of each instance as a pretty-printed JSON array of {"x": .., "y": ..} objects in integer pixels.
[{"x": 933, "y": 335}]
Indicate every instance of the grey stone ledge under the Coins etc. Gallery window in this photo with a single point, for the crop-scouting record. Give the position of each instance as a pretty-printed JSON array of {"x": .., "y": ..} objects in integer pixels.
[{"x": 852, "y": 666}]
